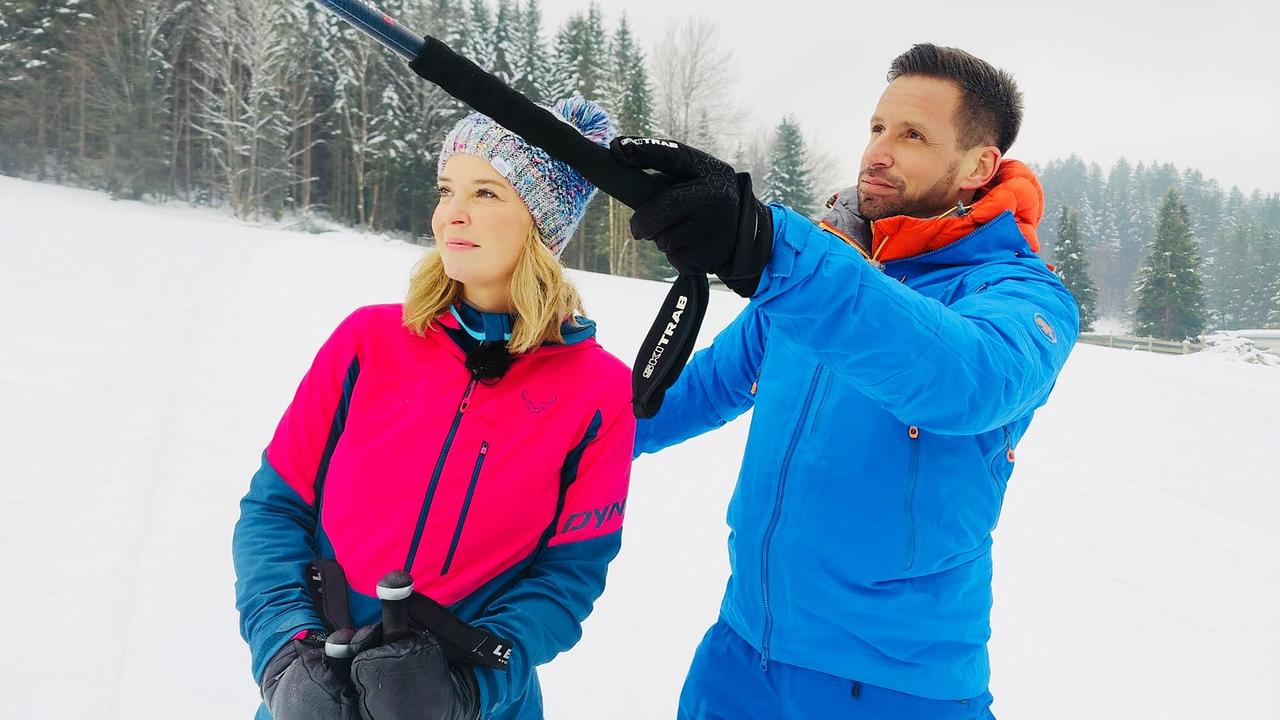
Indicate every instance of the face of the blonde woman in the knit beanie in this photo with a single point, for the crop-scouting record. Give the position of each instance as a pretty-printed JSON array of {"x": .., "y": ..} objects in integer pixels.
[{"x": 481, "y": 229}]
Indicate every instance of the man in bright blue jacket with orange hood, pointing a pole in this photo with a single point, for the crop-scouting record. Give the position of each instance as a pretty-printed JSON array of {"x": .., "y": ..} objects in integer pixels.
[{"x": 894, "y": 357}]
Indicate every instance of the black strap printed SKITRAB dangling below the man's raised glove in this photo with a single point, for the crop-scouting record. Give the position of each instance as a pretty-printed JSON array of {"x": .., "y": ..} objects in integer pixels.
[{"x": 670, "y": 344}]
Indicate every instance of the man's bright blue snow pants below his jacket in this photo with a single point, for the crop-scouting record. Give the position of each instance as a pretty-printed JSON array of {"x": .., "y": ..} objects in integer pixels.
[{"x": 726, "y": 683}]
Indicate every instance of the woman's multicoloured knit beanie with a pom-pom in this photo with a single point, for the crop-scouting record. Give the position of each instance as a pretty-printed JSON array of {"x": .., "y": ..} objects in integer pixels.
[{"x": 555, "y": 193}]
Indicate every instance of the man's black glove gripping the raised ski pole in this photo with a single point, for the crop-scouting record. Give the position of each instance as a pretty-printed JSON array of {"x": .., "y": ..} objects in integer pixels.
[{"x": 707, "y": 221}]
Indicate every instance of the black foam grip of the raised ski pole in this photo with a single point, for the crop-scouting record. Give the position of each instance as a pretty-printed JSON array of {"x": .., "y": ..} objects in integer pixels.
[{"x": 467, "y": 81}]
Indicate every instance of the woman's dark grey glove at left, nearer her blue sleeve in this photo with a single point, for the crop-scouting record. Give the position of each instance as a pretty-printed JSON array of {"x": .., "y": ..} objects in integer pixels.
[{"x": 300, "y": 683}]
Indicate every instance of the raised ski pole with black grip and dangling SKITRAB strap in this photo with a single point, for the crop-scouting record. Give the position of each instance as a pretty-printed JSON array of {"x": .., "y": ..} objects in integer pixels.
[{"x": 675, "y": 330}]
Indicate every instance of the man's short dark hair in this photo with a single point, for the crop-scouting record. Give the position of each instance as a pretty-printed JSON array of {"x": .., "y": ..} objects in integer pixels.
[{"x": 991, "y": 106}]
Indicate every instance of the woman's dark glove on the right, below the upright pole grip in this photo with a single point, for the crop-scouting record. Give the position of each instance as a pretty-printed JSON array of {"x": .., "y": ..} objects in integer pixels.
[{"x": 412, "y": 680}]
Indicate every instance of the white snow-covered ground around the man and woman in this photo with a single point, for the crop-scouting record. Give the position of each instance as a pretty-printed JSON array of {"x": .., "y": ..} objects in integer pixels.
[{"x": 147, "y": 354}]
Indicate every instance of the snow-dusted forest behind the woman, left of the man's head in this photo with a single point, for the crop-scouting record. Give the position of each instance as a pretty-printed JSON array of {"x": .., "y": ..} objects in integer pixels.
[{"x": 271, "y": 108}]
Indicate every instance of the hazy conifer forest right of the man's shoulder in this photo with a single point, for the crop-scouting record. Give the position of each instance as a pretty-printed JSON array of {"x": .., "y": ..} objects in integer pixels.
[{"x": 1141, "y": 241}]
